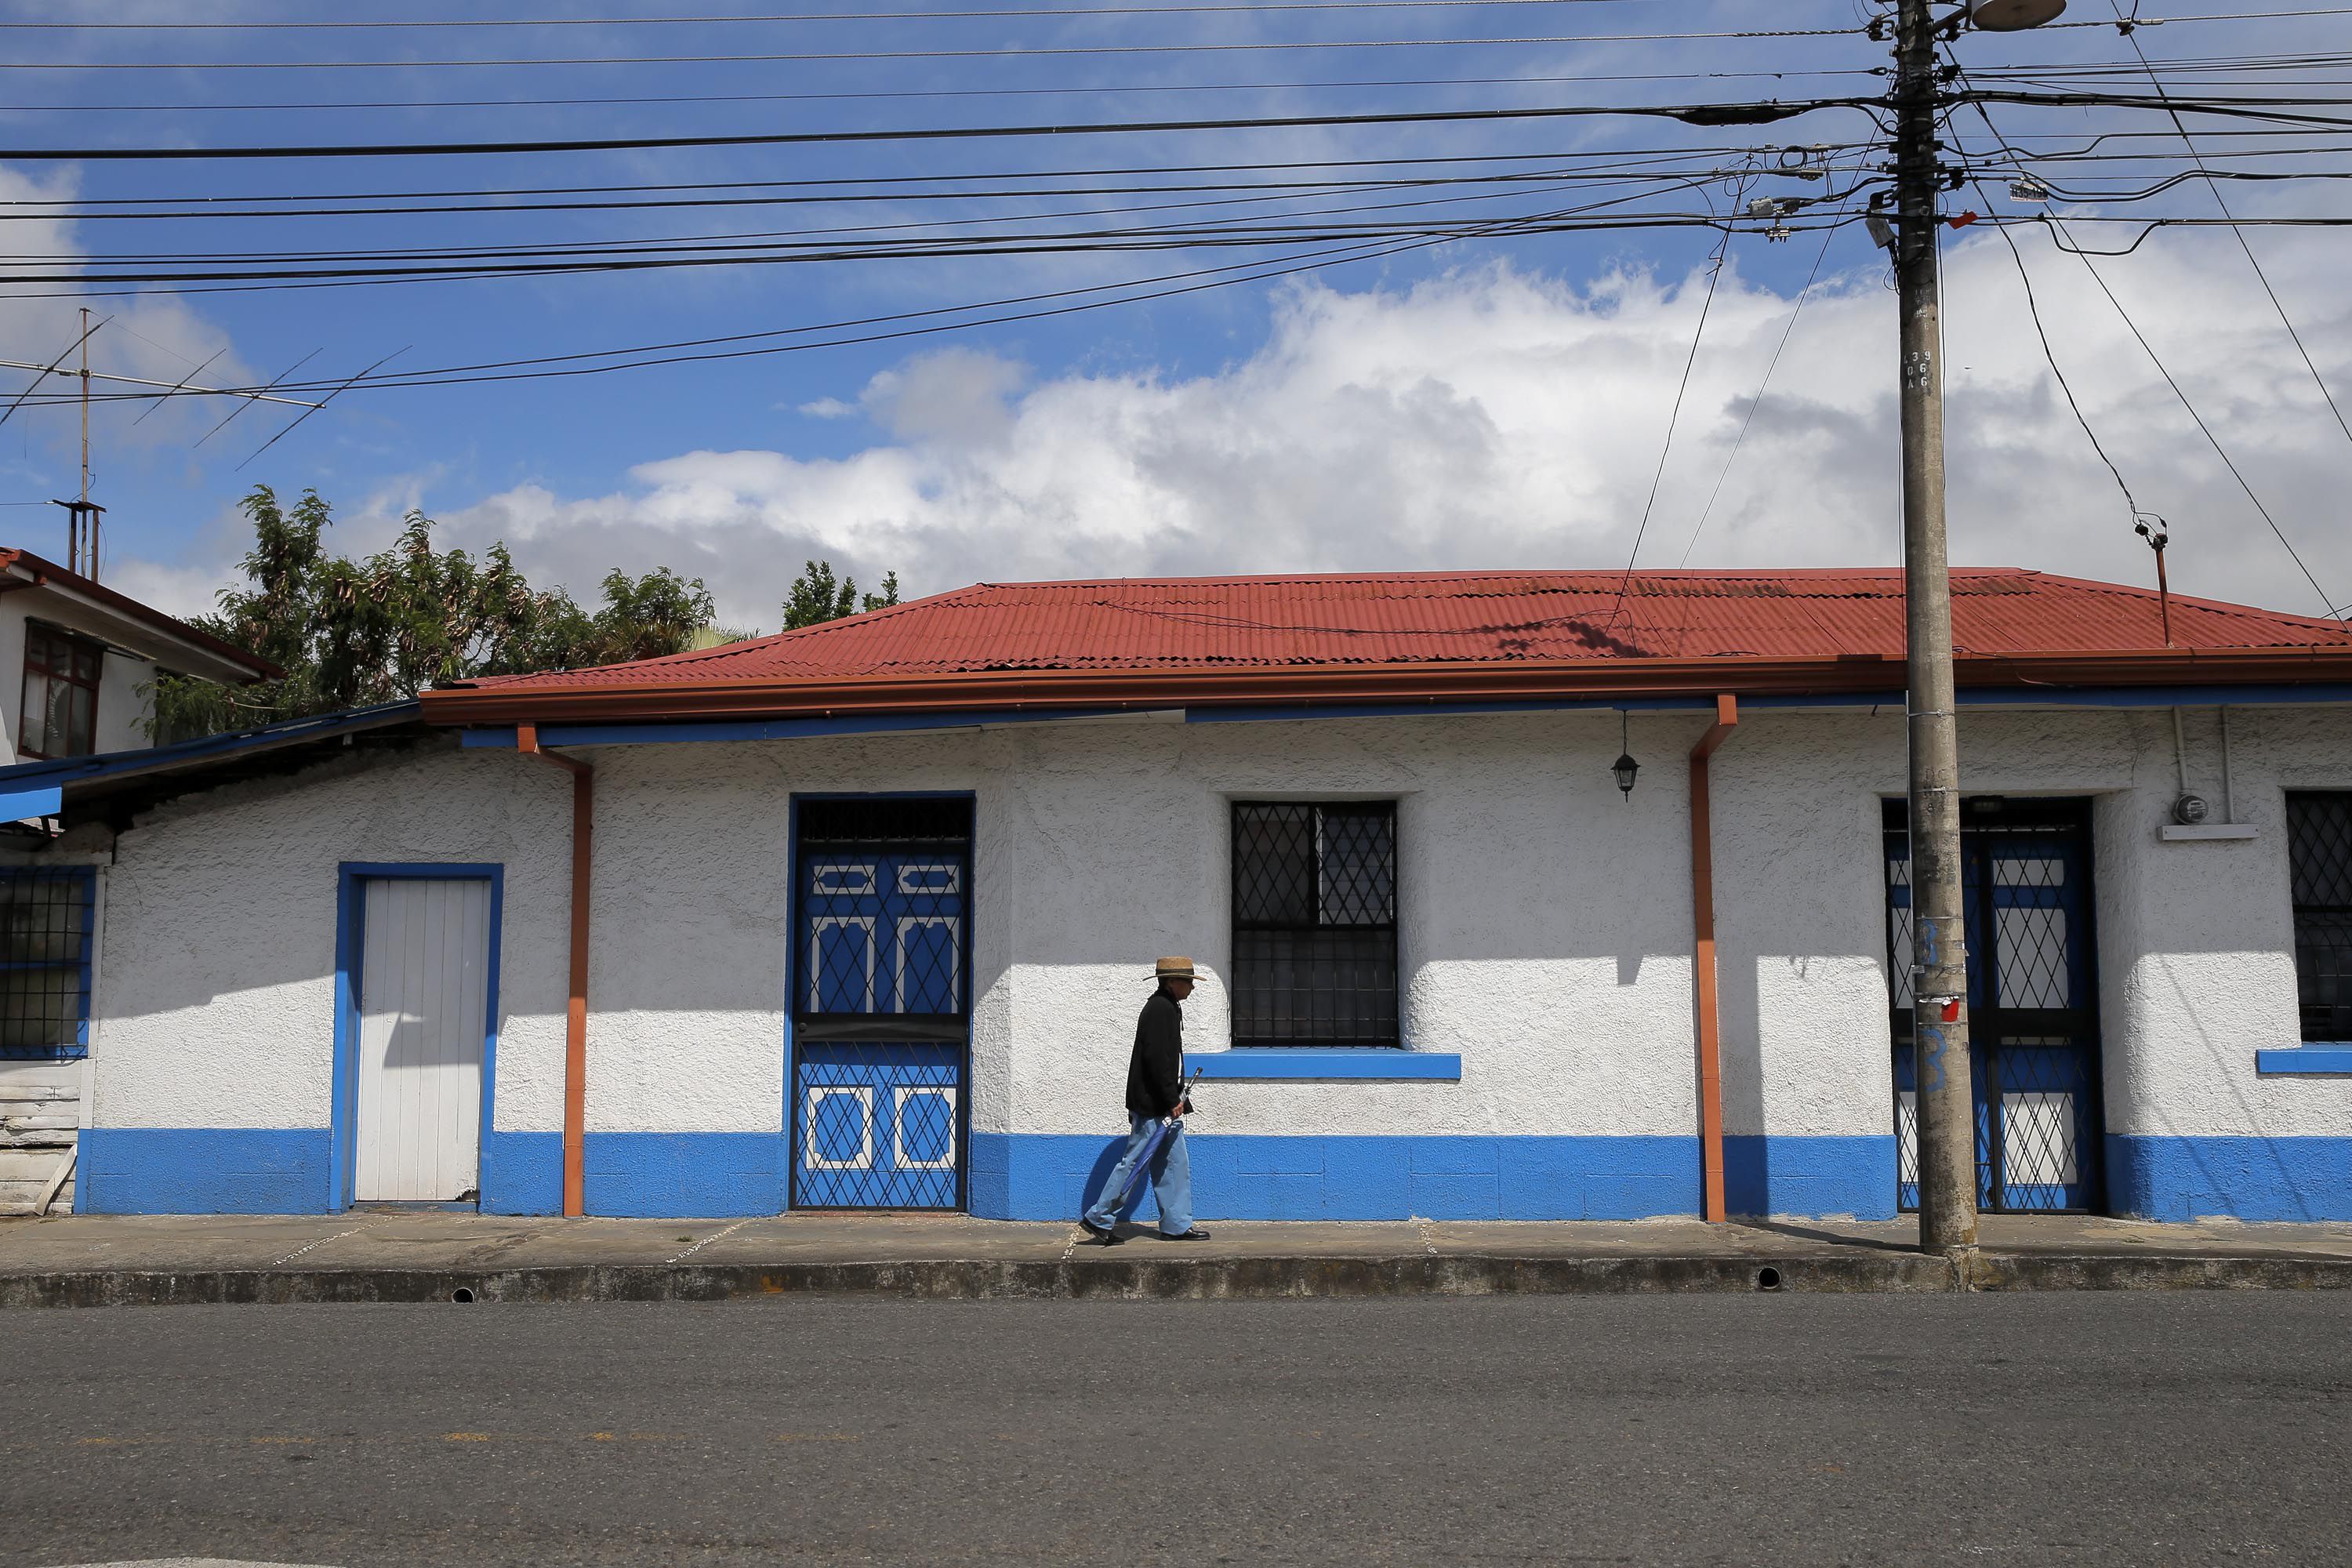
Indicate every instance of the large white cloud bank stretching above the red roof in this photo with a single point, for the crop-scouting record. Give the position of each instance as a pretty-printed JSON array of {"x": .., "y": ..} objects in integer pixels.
[{"x": 1506, "y": 420}]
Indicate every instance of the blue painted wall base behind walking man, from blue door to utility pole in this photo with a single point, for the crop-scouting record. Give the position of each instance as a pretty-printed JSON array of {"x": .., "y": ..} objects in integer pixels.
[{"x": 1031, "y": 1177}]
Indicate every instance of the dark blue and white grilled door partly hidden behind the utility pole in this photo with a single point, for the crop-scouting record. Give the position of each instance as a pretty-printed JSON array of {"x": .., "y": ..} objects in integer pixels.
[{"x": 2033, "y": 1005}]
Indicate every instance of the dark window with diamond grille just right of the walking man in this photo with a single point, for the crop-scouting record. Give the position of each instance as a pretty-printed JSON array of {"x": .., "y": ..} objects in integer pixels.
[{"x": 1316, "y": 925}]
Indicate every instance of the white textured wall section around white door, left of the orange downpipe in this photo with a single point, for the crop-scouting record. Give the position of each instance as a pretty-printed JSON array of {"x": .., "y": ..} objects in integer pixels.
[{"x": 218, "y": 967}]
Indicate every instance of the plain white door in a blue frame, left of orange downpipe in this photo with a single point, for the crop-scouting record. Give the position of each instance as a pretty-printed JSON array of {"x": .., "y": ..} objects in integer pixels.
[{"x": 425, "y": 1012}]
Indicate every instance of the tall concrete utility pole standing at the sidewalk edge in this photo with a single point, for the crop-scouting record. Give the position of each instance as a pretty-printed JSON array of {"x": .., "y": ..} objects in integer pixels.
[{"x": 1939, "y": 925}]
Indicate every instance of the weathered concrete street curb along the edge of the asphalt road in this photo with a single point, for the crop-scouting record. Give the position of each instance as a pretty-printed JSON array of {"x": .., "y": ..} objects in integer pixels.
[{"x": 1090, "y": 1275}]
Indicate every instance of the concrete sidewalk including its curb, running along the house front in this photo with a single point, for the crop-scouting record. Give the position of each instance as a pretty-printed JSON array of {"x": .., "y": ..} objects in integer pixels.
[{"x": 408, "y": 1257}]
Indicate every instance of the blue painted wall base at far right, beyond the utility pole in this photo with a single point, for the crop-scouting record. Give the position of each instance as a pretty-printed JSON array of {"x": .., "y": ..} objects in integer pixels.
[{"x": 2229, "y": 1179}]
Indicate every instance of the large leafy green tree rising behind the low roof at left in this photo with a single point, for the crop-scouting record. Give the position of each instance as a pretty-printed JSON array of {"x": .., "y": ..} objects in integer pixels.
[{"x": 382, "y": 629}]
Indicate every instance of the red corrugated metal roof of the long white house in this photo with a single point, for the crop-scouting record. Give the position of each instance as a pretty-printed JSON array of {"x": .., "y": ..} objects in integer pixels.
[{"x": 1455, "y": 619}]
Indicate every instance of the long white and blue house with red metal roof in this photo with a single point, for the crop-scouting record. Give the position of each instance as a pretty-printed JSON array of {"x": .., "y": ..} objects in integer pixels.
[{"x": 862, "y": 916}]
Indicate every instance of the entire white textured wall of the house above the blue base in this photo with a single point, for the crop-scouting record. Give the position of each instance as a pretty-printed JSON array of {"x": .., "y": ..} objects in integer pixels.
[{"x": 1546, "y": 920}]
